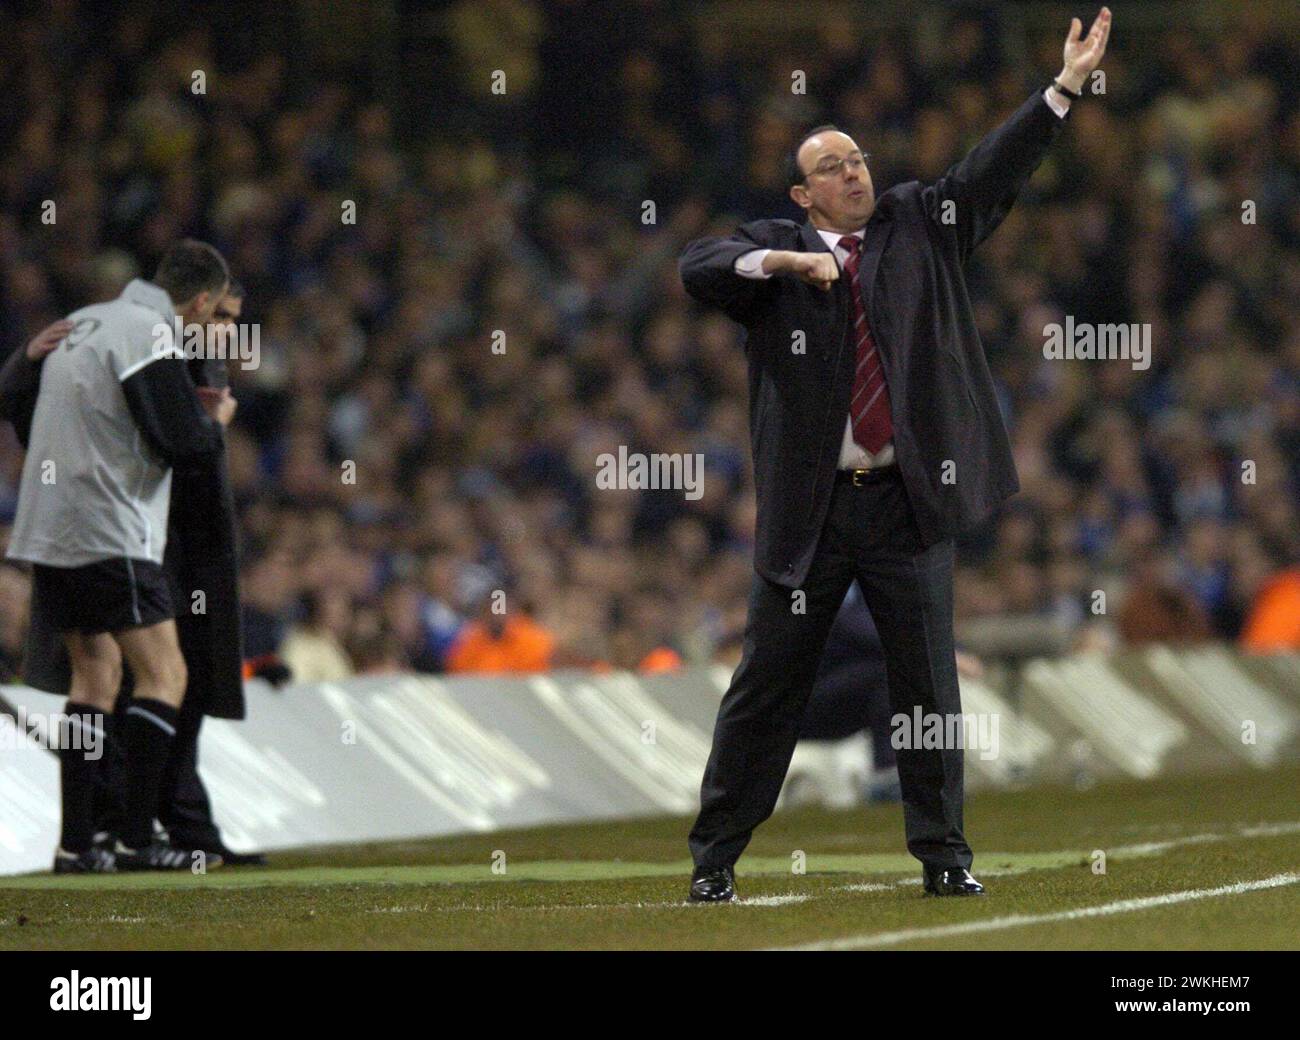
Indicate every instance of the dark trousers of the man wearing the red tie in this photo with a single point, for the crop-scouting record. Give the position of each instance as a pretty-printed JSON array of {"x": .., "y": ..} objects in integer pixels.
[{"x": 870, "y": 535}]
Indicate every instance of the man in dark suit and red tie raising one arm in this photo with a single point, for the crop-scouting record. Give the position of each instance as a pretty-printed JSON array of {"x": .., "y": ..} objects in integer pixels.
[{"x": 877, "y": 439}]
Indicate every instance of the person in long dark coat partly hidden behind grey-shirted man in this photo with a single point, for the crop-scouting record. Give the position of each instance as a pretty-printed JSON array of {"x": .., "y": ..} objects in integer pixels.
[{"x": 202, "y": 566}]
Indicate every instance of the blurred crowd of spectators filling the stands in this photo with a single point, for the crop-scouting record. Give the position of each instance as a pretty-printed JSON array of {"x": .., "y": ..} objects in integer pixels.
[{"x": 415, "y": 454}]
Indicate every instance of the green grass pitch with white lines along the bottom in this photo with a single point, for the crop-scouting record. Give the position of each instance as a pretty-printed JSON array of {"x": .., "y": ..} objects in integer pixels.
[{"x": 1193, "y": 863}]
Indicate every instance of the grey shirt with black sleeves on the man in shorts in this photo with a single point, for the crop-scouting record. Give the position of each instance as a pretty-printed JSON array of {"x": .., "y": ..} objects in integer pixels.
[{"x": 115, "y": 411}]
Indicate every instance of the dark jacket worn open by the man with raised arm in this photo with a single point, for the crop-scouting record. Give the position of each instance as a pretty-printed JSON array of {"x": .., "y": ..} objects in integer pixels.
[{"x": 950, "y": 439}]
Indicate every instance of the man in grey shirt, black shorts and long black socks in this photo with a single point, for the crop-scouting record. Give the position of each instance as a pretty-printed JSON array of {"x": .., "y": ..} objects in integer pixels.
[{"x": 115, "y": 411}]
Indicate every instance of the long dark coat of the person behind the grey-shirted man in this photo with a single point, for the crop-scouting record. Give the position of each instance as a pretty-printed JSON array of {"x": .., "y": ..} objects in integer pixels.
[{"x": 201, "y": 556}]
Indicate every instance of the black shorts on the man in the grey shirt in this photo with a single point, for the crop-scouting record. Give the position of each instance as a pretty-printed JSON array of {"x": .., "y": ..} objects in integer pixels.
[{"x": 109, "y": 596}]
